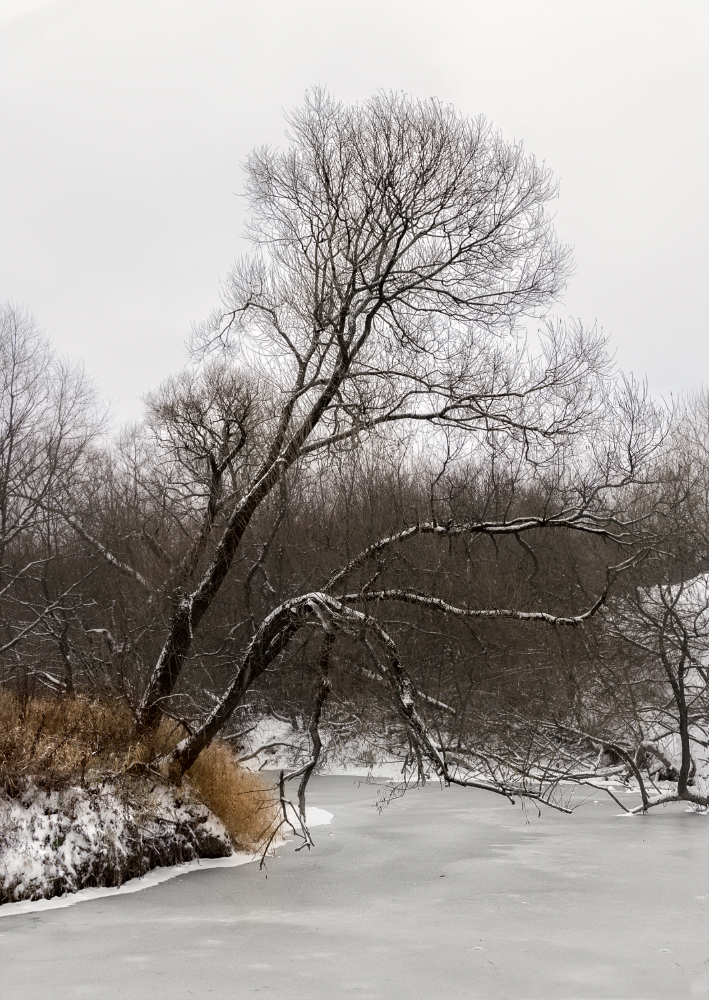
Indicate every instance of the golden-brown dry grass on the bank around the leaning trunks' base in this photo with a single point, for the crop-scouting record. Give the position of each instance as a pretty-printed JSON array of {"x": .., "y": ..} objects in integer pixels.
[{"x": 57, "y": 742}]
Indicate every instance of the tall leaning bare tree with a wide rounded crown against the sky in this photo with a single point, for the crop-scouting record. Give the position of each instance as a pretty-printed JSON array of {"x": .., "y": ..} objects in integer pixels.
[{"x": 384, "y": 235}]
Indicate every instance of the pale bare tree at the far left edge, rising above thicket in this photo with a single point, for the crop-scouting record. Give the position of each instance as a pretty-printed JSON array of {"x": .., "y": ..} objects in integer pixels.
[{"x": 48, "y": 419}]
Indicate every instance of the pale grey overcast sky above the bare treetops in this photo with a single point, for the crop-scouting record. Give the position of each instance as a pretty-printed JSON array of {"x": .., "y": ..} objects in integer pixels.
[{"x": 124, "y": 122}]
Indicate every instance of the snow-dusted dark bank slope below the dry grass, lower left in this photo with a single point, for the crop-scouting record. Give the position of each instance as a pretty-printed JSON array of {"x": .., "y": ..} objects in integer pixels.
[{"x": 52, "y": 842}]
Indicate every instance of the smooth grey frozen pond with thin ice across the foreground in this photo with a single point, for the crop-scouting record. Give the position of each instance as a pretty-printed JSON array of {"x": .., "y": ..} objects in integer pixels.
[{"x": 447, "y": 894}]
